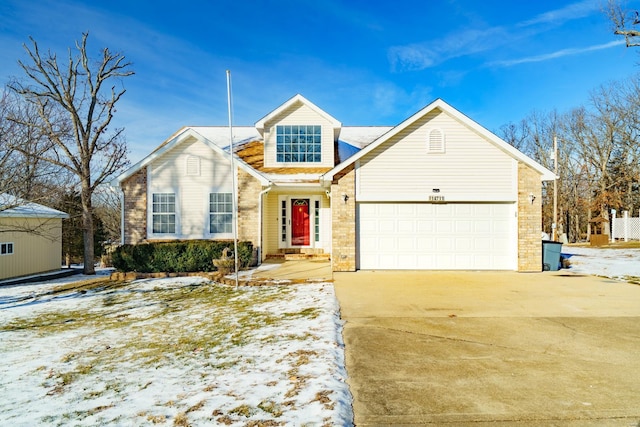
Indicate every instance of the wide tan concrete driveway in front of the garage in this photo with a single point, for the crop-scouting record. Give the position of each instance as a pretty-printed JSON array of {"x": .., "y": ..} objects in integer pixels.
[{"x": 499, "y": 348}]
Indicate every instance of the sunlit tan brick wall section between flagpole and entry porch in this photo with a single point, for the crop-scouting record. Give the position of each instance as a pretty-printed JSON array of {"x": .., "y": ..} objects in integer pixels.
[{"x": 248, "y": 215}]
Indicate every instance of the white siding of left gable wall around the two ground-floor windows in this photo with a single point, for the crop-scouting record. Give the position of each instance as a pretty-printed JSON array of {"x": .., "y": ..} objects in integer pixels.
[{"x": 174, "y": 171}]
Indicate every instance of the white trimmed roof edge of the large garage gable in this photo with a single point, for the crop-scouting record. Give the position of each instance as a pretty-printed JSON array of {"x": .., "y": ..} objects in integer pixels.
[{"x": 546, "y": 174}]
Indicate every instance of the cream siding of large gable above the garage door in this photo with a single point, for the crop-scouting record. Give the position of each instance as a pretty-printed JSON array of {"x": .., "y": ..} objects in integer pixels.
[{"x": 470, "y": 168}]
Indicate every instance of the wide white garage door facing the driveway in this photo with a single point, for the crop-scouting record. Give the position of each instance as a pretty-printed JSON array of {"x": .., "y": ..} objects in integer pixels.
[{"x": 452, "y": 236}]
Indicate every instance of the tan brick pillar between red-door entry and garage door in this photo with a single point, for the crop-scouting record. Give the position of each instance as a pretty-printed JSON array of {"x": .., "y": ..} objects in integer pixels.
[{"x": 343, "y": 217}]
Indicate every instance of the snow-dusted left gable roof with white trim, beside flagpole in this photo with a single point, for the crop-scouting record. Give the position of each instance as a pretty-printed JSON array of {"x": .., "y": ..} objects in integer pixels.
[{"x": 220, "y": 147}]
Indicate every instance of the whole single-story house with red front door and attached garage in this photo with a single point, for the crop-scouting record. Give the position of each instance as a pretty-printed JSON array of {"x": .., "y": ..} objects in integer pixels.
[{"x": 437, "y": 191}]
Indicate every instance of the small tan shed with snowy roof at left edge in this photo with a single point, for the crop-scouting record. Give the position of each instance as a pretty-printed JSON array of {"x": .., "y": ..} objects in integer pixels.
[{"x": 30, "y": 237}]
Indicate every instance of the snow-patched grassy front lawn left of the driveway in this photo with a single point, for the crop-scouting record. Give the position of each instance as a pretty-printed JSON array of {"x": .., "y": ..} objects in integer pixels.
[{"x": 180, "y": 351}]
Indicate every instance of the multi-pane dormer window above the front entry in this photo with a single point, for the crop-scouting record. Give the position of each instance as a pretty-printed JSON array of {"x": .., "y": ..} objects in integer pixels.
[{"x": 298, "y": 144}]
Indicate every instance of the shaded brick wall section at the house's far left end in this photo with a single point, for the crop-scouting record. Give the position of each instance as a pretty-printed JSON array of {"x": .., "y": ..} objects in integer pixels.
[{"x": 135, "y": 207}]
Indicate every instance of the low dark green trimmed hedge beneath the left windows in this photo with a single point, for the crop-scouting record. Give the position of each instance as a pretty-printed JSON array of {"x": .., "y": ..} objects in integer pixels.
[{"x": 171, "y": 257}]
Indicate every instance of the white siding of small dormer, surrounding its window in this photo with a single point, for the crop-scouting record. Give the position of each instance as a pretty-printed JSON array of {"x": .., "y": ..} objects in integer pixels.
[{"x": 299, "y": 114}]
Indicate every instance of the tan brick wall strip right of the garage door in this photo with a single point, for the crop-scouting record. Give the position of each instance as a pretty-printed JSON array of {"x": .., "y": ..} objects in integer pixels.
[{"x": 529, "y": 219}]
